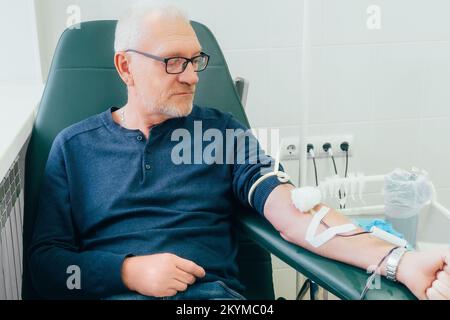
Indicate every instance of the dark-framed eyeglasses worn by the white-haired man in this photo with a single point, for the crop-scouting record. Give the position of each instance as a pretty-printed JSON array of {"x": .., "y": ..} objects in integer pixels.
[{"x": 177, "y": 65}]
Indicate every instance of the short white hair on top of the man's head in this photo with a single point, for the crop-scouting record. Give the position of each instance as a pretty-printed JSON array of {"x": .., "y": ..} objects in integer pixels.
[{"x": 129, "y": 27}]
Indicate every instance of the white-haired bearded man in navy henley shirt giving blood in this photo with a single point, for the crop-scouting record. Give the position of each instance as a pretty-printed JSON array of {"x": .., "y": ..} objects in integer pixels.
[{"x": 116, "y": 207}]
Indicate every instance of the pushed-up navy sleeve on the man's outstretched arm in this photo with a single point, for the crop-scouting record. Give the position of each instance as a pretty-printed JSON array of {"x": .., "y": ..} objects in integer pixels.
[{"x": 250, "y": 162}]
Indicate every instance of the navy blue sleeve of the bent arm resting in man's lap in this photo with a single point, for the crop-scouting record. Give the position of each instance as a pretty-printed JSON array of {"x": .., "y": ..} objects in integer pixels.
[{"x": 59, "y": 270}]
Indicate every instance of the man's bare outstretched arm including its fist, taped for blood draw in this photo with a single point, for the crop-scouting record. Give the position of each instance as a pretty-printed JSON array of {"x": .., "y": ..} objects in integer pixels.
[{"x": 426, "y": 274}]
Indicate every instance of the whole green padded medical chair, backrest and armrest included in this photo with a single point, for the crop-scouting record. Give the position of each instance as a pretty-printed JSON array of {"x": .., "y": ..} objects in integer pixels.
[{"x": 83, "y": 82}]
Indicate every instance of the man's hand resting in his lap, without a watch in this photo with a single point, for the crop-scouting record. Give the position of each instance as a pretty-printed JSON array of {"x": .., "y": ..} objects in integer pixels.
[{"x": 159, "y": 275}]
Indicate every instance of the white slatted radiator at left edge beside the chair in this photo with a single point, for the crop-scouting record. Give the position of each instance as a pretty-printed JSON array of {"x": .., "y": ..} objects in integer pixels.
[{"x": 11, "y": 217}]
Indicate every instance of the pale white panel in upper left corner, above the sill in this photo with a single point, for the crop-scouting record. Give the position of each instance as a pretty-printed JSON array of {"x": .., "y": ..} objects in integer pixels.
[{"x": 19, "y": 54}]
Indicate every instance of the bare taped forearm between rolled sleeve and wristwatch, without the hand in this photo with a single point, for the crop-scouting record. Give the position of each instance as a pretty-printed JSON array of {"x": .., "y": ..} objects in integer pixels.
[{"x": 362, "y": 251}]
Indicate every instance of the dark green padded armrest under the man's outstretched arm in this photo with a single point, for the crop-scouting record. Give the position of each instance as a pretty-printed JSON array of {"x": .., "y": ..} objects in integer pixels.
[{"x": 343, "y": 280}]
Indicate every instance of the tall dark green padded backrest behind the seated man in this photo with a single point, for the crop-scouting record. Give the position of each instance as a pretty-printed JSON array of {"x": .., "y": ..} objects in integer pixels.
[{"x": 83, "y": 82}]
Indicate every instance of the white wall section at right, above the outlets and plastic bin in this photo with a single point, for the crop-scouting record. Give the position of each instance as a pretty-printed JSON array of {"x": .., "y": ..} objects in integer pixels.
[{"x": 388, "y": 87}]
